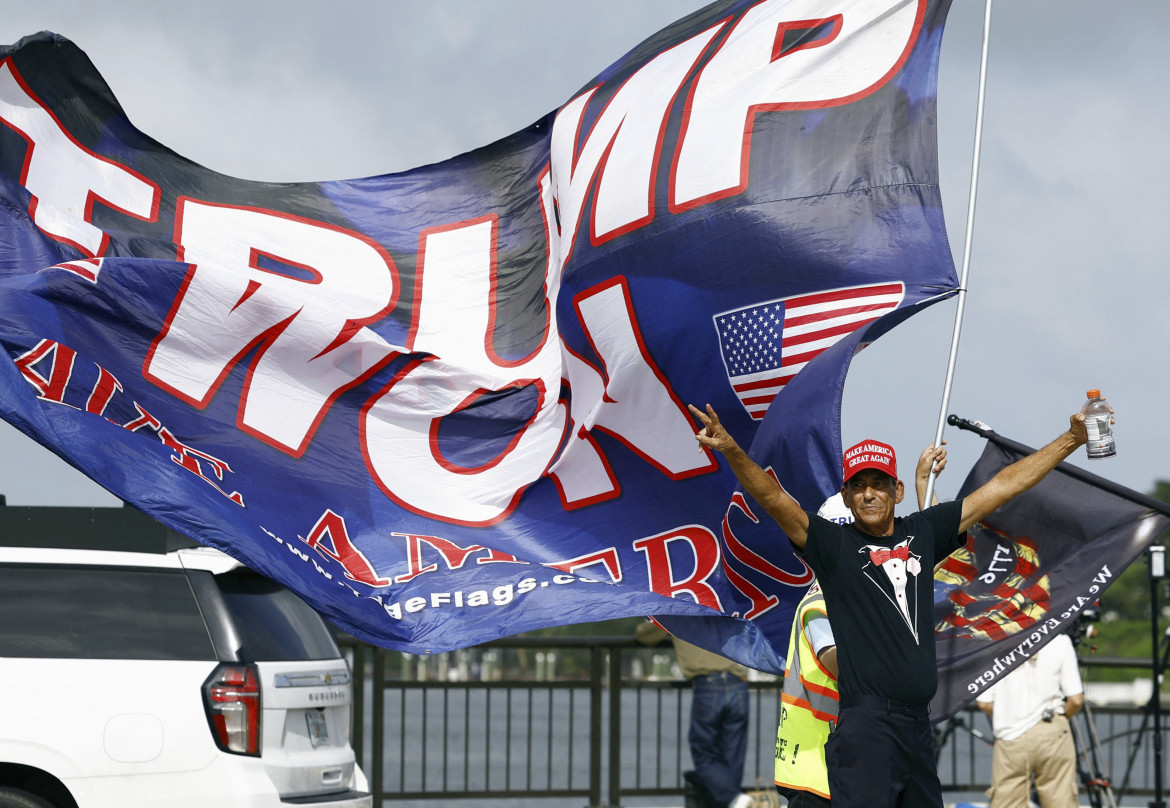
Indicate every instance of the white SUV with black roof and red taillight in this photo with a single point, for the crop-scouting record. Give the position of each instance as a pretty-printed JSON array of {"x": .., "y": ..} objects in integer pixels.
[{"x": 161, "y": 676}]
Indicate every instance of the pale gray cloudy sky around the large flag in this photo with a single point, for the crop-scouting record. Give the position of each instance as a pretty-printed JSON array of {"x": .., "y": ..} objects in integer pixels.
[{"x": 1066, "y": 289}]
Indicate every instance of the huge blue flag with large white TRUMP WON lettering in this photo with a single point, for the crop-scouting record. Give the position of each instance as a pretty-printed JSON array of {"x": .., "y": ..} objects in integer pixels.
[{"x": 450, "y": 405}]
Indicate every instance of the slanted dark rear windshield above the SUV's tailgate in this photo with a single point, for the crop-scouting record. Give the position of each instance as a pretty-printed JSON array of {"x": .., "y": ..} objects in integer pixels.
[{"x": 273, "y": 624}]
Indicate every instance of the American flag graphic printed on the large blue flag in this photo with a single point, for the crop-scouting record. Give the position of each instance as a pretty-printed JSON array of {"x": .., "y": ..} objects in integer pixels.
[{"x": 766, "y": 344}]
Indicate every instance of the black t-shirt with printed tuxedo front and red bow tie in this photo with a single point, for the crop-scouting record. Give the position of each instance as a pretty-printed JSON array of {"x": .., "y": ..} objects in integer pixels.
[{"x": 879, "y": 593}]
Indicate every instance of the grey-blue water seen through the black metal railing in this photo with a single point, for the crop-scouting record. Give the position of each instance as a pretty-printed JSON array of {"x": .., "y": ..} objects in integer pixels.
[{"x": 538, "y": 738}]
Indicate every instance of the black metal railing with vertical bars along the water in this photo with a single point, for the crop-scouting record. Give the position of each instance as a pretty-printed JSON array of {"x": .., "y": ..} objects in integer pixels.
[{"x": 609, "y": 731}]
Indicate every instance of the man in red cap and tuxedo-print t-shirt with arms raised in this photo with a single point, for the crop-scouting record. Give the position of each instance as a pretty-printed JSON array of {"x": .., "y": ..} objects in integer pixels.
[{"x": 876, "y": 576}]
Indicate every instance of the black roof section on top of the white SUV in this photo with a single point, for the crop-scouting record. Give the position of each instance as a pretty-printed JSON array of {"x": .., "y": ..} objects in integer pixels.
[{"x": 116, "y": 529}]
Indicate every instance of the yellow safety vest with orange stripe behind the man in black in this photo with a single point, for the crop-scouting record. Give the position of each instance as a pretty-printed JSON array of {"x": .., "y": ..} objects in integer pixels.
[{"x": 809, "y": 706}]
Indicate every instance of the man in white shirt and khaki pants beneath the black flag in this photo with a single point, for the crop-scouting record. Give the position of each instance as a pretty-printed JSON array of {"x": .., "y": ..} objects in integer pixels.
[{"x": 1030, "y": 713}]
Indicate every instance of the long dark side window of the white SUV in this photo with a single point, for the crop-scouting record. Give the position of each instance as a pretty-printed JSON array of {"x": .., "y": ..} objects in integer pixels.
[{"x": 100, "y": 613}]
